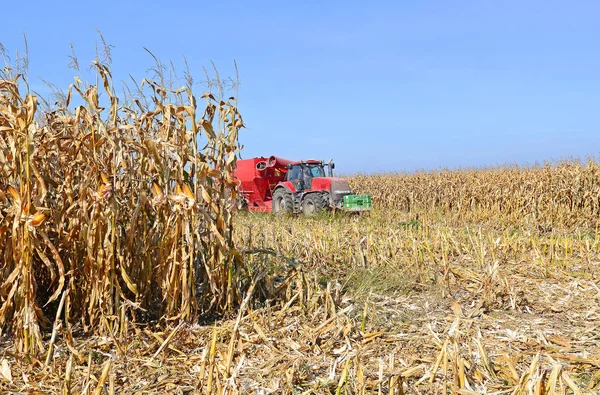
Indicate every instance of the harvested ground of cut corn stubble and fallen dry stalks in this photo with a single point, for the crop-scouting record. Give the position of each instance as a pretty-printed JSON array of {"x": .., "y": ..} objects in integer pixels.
[{"x": 378, "y": 303}]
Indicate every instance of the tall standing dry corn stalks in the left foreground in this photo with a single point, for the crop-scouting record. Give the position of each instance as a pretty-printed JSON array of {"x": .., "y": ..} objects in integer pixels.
[{"x": 121, "y": 205}]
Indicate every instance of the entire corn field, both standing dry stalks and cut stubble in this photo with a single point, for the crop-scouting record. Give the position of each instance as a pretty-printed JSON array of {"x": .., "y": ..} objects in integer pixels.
[{"x": 126, "y": 269}]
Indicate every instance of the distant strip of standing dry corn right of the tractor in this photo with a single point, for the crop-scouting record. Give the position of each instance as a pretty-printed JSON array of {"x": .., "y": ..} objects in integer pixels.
[{"x": 564, "y": 194}]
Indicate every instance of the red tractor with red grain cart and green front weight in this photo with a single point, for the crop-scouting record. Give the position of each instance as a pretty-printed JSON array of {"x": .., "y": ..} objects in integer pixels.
[{"x": 284, "y": 186}]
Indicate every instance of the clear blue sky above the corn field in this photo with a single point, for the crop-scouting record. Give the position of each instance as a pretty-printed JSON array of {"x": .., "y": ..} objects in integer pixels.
[{"x": 380, "y": 85}]
